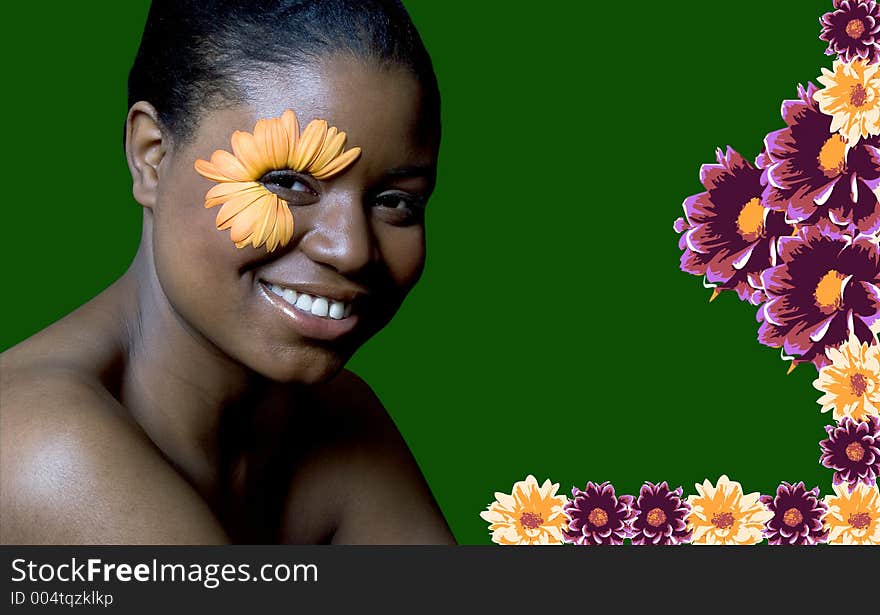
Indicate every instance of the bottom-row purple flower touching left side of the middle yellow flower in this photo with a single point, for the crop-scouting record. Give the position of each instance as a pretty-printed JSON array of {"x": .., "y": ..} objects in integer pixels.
[{"x": 660, "y": 516}]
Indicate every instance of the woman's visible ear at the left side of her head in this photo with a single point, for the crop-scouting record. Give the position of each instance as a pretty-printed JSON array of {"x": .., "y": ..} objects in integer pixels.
[{"x": 145, "y": 146}]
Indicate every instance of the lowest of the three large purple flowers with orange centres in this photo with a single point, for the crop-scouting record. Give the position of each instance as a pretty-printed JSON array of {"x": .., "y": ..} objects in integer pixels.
[{"x": 825, "y": 289}]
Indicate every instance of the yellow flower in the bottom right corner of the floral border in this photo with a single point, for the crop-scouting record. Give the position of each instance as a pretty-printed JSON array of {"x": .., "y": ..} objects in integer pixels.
[{"x": 853, "y": 518}]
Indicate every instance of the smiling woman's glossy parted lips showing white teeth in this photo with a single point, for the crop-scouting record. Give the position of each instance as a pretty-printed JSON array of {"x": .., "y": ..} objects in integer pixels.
[{"x": 313, "y": 316}]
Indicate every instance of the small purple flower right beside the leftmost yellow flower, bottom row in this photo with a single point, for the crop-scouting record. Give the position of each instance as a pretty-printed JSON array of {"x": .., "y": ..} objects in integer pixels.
[{"x": 598, "y": 517}]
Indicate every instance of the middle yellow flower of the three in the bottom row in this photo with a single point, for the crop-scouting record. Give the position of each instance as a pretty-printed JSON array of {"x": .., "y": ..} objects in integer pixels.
[{"x": 722, "y": 515}]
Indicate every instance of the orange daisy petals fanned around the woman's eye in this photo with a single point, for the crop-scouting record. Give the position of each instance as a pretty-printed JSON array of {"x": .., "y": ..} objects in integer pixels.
[{"x": 253, "y": 214}]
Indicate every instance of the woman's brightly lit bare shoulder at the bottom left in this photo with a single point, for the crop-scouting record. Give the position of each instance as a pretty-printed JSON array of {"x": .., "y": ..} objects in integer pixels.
[{"x": 77, "y": 470}]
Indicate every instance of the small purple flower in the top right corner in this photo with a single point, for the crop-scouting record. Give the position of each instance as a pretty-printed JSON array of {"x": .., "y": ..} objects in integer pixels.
[{"x": 851, "y": 30}]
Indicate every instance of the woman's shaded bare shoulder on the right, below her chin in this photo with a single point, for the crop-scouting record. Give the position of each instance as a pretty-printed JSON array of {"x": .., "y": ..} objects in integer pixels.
[{"x": 365, "y": 473}]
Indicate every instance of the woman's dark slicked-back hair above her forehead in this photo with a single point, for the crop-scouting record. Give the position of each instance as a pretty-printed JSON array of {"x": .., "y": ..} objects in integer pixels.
[{"x": 192, "y": 50}]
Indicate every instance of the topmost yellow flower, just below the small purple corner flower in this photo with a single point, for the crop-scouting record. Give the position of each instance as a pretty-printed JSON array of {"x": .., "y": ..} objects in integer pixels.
[{"x": 851, "y": 96}]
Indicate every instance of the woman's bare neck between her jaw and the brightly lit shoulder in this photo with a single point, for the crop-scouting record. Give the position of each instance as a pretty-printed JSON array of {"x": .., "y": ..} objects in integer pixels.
[{"x": 177, "y": 385}]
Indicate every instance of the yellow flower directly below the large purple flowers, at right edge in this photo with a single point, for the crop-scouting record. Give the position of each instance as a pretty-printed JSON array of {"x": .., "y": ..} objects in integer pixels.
[{"x": 851, "y": 382}]
